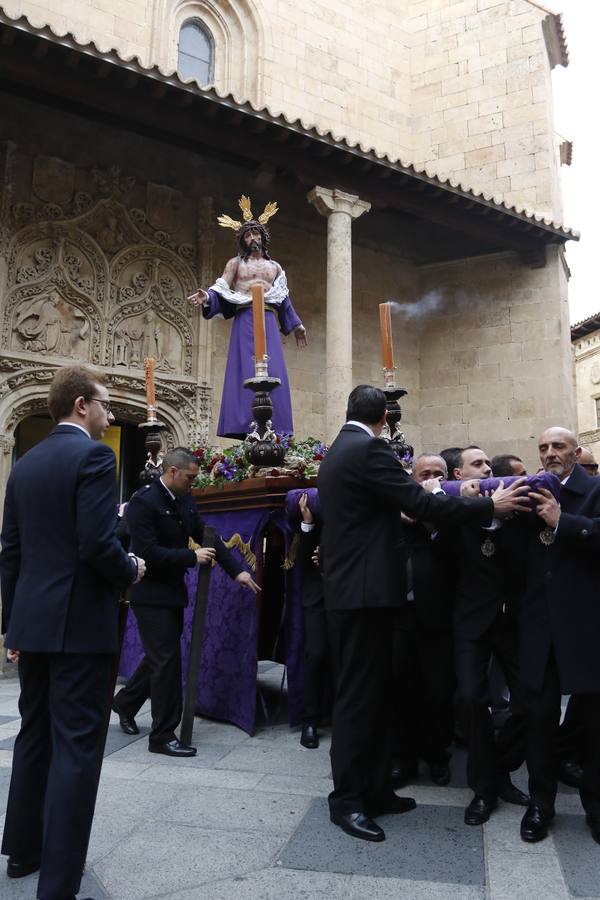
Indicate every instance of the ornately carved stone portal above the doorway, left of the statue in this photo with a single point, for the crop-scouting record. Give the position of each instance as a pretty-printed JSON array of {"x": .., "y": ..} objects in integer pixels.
[{"x": 96, "y": 267}]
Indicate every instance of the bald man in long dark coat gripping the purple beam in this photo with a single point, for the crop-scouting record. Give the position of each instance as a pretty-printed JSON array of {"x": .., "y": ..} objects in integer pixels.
[{"x": 560, "y": 629}]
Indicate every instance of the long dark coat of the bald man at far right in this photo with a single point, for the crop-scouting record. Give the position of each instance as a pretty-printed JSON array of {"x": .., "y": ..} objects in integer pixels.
[{"x": 561, "y": 607}]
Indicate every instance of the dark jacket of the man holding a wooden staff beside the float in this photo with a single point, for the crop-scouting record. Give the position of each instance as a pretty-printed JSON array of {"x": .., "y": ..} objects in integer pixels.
[{"x": 160, "y": 530}]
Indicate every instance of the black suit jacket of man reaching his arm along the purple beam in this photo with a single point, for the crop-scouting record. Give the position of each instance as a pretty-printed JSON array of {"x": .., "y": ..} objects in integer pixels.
[{"x": 362, "y": 490}]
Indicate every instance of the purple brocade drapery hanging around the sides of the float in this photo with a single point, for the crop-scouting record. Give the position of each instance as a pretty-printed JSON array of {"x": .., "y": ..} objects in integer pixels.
[{"x": 227, "y": 679}]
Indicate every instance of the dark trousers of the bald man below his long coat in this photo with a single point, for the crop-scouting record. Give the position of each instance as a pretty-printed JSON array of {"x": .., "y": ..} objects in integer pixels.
[{"x": 543, "y": 710}]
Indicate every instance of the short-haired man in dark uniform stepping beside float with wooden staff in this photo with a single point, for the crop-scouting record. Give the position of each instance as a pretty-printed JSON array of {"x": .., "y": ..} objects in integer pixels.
[{"x": 162, "y": 517}]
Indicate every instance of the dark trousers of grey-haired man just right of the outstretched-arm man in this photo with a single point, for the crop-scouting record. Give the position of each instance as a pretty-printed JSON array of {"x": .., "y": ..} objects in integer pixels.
[{"x": 424, "y": 683}]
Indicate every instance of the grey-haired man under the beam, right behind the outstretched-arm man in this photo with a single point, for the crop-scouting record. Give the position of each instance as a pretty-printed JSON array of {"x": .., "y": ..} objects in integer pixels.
[{"x": 424, "y": 678}]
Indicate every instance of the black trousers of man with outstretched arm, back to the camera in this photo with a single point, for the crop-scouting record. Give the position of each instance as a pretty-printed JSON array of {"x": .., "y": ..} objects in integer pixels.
[{"x": 361, "y": 648}]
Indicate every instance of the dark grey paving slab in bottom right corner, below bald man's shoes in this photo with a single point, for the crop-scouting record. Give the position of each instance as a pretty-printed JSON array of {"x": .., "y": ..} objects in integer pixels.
[{"x": 578, "y": 854}]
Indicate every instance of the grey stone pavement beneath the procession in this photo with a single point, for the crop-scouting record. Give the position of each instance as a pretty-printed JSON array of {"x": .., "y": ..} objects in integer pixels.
[{"x": 246, "y": 819}]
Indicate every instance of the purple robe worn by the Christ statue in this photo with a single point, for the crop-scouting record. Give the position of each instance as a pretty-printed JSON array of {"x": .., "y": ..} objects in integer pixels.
[{"x": 236, "y": 402}]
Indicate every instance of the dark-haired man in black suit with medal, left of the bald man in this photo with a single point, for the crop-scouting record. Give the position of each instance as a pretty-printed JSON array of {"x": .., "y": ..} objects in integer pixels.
[{"x": 485, "y": 627}]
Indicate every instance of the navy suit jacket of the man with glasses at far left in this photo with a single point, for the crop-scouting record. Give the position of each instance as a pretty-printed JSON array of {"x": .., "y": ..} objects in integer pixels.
[{"x": 61, "y": 565}]
